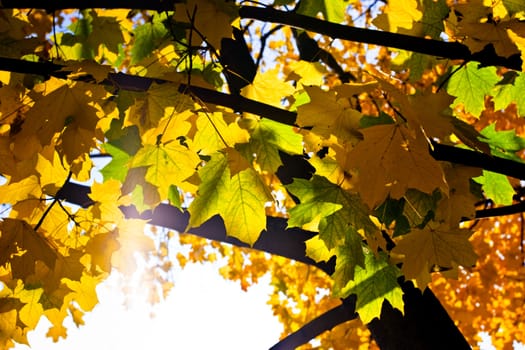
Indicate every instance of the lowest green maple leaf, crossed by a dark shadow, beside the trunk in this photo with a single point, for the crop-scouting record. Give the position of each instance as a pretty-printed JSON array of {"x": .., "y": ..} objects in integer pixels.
[{"x": 373, "y": 285}]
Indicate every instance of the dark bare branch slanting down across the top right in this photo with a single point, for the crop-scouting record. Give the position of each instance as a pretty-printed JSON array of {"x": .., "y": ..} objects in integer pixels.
[{"x": 437, "y": 48}]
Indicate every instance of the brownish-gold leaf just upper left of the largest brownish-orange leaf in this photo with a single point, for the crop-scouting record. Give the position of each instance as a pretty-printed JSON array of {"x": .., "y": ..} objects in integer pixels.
[{"x": 329, "y": 115}]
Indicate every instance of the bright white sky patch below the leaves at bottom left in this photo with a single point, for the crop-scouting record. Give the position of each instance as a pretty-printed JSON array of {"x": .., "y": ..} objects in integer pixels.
[{"x": 203, "y": 311}]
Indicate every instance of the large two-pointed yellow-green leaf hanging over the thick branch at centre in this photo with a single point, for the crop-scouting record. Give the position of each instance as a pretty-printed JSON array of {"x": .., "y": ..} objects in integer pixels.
[{"x": 239, "y": 199}]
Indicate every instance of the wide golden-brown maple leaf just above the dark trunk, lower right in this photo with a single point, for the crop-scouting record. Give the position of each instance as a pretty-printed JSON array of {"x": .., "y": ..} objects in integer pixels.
[{"x": 442, "y": 246}]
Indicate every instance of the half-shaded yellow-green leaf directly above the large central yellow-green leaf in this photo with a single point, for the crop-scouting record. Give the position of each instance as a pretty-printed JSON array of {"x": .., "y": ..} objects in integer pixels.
[{"x": 267, "y": 139}]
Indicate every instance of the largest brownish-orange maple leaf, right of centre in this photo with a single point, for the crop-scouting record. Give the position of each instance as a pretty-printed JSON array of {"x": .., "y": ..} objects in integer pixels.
[{"x": 391, "y": 160}]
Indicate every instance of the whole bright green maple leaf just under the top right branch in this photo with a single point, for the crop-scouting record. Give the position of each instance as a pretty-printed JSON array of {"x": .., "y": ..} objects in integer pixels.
[{"x": 470, "y": 84}]
